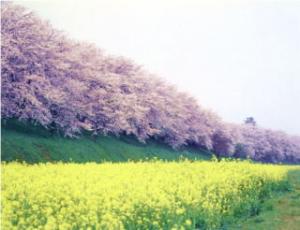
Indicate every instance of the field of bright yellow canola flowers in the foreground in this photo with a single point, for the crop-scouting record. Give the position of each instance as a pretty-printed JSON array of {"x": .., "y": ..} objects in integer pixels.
[{"x": 142, "y": 195}]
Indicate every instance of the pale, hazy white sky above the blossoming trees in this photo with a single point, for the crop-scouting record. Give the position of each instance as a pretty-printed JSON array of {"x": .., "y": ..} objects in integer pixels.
[{"x": 237, "y": 59}]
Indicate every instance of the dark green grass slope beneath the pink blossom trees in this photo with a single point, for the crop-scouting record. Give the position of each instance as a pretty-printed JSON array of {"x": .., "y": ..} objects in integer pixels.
[{"x": 33, "y": 144}]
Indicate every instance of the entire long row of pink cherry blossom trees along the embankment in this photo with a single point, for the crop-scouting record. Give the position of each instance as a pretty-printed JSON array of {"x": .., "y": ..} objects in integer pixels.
[{"x": 69, "y": 86}]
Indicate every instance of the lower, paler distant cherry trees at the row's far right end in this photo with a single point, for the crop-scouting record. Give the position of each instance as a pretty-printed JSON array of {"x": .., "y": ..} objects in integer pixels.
[{"x": 261, "y": 144}]
